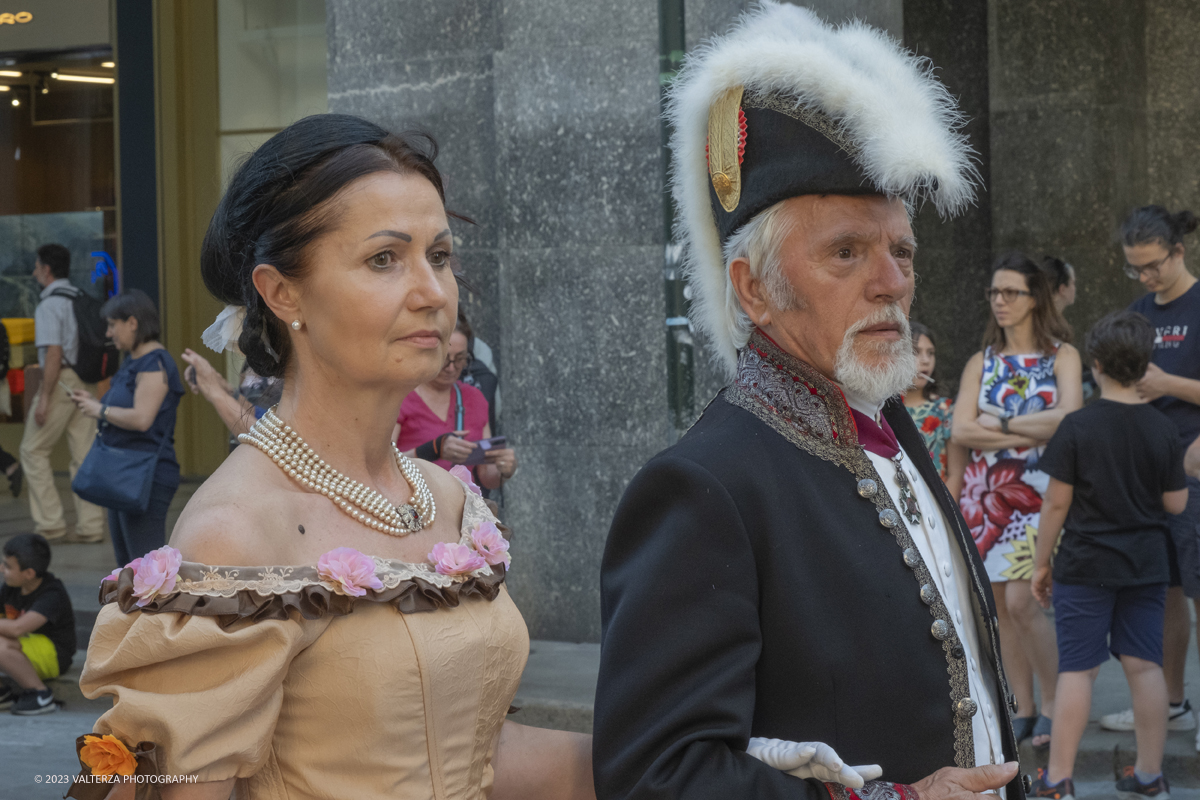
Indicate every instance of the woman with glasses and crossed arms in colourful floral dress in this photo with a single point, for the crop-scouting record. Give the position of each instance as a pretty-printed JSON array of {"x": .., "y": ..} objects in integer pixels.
[{"x": 1013, "y": 396}]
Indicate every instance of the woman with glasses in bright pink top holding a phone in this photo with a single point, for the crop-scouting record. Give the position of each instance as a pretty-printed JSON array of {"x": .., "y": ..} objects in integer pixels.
[{"x": 443, "y": 419}]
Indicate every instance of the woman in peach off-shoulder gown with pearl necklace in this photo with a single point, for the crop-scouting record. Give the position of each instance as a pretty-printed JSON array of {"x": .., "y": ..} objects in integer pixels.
[{"x": 235, "y": 651}]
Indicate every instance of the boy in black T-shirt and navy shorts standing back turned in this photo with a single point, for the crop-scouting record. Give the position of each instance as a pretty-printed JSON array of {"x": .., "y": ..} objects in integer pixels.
[{"x": 1117, "y": 472}]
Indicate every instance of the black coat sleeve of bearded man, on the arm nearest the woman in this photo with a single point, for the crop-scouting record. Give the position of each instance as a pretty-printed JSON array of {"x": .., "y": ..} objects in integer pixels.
[{"x": 680, "y": 647}]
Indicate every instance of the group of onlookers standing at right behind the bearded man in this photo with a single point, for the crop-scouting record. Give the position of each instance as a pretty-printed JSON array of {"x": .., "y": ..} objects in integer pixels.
[{"x": 1108, "y": 492}]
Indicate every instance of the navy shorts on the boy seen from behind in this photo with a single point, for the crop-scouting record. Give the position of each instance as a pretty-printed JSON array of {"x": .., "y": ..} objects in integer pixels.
[{"x": 1094, "y": 622}]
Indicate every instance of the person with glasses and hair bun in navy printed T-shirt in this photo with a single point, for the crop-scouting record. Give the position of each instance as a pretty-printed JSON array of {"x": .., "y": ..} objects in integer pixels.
[{"x": 1153, "y": 240}]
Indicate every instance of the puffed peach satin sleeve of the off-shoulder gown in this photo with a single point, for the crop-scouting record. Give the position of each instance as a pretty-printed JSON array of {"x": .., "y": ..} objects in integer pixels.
[{"x": 207, "y": 697}]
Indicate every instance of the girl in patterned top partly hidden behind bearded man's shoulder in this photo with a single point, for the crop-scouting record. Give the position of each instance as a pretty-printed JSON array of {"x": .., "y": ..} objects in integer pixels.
[{"x": 933, "y": 413}]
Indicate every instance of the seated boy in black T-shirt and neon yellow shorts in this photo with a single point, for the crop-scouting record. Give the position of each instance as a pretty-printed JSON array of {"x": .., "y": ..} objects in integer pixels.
[{"x": 38, "y": 637}]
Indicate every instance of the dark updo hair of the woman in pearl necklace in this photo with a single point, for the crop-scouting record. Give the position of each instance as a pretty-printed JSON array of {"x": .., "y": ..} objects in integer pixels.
[{"x": 274, "y": 209}]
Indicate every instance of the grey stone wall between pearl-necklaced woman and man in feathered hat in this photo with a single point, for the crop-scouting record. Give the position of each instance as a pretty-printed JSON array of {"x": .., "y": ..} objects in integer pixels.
[{"x": 548, "y": 115}]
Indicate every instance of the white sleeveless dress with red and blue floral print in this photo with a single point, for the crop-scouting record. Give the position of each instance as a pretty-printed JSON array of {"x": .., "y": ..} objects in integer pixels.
[{"x": 1003, "y": 490}]
